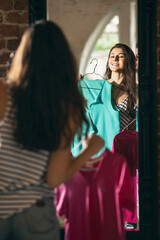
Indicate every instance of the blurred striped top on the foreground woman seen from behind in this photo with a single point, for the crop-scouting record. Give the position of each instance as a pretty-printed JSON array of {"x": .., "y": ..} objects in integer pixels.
[{"x": 22, "y": 172}]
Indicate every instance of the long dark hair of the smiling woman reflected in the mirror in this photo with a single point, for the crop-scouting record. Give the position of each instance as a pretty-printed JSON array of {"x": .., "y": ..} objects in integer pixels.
[{"x": 129, "y": 82}]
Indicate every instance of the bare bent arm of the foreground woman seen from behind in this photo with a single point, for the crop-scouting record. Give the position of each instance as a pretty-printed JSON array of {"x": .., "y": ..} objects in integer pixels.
[{"x": 61, "y": 165}]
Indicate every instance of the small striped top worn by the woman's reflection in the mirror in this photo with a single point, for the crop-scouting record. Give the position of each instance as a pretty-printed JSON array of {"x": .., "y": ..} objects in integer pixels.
[{"x": 124, "y": 114}]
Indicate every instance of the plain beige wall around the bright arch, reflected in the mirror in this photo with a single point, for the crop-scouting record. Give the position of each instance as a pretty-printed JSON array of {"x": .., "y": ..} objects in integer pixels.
[{"x": 79, "y": 18}]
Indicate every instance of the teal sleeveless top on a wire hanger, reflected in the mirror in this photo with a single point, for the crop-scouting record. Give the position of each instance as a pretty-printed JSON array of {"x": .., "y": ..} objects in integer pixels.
[{"x": 101, "y": 112}]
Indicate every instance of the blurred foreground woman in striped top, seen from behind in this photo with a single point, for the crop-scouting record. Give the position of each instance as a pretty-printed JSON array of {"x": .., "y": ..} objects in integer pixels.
[{"x": 40, "y": 111}]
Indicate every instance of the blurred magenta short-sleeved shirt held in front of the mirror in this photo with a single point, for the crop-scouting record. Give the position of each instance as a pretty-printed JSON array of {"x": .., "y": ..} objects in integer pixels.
[{"x": 92, "y": 200}]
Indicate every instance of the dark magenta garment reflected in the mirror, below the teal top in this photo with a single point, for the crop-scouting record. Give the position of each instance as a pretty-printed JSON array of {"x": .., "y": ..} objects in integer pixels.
[{"x": 126, "y": 143}]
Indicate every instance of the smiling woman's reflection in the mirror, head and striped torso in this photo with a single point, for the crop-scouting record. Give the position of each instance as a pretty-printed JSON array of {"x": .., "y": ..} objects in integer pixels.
[{"x": 120, "y": 72}]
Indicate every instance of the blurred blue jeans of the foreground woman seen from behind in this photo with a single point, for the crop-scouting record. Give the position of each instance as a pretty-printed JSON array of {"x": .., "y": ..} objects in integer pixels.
[{"x": 38, "y": 222}]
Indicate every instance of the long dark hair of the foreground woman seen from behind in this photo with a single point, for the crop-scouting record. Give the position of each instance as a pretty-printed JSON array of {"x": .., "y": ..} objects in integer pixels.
[{"x": 43, "y": 77}]
